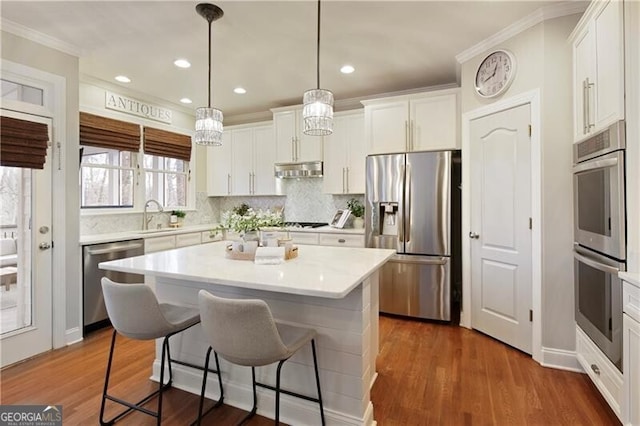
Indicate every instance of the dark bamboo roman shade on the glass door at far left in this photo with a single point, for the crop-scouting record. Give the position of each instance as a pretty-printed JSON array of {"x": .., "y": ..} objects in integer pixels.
[{"x": 23, "y": 143}]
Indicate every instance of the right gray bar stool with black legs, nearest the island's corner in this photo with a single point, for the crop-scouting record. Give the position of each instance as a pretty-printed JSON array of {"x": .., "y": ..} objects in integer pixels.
[{"x": 244, "y": 332}]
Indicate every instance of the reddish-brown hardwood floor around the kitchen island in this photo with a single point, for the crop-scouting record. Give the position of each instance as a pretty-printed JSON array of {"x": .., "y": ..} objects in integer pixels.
[{"x": 429, "y": 374}]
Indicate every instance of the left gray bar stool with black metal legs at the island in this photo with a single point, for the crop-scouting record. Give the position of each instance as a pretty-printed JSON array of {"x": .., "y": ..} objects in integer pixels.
[{"x": 135, "y": 312}]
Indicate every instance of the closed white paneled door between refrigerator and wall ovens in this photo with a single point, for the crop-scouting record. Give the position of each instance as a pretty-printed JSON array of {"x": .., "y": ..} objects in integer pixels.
[{"x": 500, "y": 232}]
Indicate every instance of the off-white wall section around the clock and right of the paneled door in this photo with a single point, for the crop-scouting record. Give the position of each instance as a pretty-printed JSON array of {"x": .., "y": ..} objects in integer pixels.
[{"x": 544, "y": 62}]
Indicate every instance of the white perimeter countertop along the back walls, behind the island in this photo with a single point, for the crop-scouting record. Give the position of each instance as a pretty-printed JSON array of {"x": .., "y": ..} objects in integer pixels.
[{"x": 133, "y": 235}]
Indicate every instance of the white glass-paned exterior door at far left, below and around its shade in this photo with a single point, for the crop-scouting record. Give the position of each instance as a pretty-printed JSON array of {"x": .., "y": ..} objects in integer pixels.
[{"x": 25, "y": 294}]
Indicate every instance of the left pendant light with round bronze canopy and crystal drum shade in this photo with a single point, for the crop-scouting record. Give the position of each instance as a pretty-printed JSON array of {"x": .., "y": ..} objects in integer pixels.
[{"x": 209, "y": 120}]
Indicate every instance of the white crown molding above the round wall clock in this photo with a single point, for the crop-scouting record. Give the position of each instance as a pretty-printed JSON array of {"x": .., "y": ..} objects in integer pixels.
[{"x": 549, "y": 12}]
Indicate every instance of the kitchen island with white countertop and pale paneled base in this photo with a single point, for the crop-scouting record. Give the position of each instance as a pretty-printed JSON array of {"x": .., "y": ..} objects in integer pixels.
[{"x": 332, "y": 289}]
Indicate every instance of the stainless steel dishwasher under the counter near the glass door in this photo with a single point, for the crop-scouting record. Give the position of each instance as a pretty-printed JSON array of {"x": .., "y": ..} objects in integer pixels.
[{"x": 94, "y": 311}]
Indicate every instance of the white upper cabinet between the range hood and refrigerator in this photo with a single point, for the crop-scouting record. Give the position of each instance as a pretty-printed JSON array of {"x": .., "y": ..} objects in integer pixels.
[{"x": 345, "y": 151}]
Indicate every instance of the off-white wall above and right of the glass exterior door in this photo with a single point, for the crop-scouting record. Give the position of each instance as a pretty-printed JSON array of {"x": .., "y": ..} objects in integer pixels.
[{"x": 66, "y": 204}]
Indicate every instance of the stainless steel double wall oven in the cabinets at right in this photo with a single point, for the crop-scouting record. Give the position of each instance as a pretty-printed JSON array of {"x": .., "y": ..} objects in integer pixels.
[{"x": 600, "y": 237}]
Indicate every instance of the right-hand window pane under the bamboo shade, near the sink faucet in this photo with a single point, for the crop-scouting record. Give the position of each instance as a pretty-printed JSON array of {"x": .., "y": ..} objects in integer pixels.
[{"x": 166, "y": 180}]
